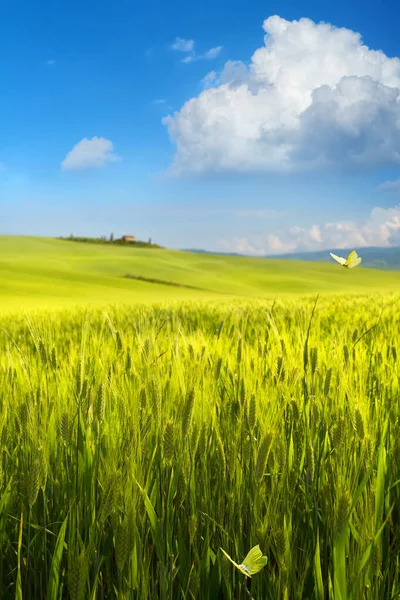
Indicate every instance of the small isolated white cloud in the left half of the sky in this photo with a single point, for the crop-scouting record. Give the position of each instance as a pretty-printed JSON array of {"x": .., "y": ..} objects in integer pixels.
[{"x": 87, "y": 154}]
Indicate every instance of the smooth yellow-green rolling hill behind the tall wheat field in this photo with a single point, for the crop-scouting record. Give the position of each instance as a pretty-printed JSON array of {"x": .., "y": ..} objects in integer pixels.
[{"x": 44, "y": 272}]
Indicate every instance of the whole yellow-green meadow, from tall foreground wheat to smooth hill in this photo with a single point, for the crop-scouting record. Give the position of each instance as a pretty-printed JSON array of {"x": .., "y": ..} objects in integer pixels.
[{"x": 145, "y": 427}]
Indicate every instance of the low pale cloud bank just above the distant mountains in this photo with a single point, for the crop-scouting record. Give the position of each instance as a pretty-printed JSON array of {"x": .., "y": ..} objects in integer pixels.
[{"x": 380, "y": 228}]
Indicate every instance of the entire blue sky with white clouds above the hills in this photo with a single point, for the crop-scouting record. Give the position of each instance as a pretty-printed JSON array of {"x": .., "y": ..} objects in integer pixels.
[{"x": 257, "y": 128}]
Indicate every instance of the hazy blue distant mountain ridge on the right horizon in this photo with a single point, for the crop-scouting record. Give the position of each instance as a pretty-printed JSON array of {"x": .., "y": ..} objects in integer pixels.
[{"x": 372, "y": 257}]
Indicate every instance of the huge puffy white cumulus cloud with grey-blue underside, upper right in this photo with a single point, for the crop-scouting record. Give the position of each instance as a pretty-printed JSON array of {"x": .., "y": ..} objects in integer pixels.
[{"x": 314, "y": 96}]
